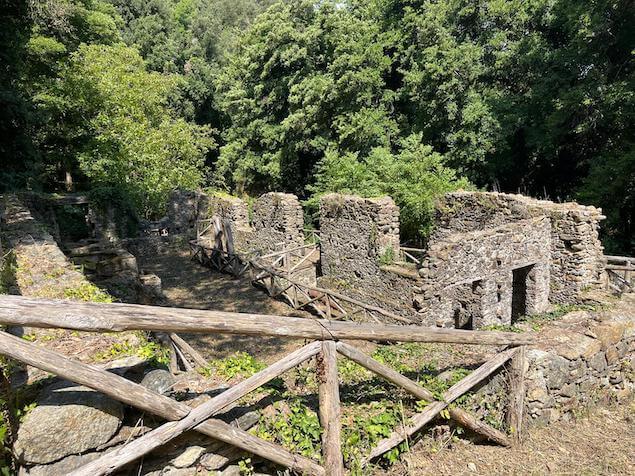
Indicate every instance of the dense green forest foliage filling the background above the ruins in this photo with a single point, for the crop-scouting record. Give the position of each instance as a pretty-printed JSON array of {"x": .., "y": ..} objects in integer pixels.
[{"x": 367, "y": 96}]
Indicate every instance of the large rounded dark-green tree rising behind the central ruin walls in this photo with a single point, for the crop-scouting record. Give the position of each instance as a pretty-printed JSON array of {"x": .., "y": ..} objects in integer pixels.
[{"x": 306, "y": 78}]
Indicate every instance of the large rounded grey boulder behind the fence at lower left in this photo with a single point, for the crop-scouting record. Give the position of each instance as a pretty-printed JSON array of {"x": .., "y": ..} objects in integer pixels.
[{"x": 67, "y": 420}]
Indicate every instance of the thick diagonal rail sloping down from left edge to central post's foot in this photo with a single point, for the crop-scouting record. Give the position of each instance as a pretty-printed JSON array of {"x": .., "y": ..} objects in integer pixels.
[{"x": 140, "y": 397}]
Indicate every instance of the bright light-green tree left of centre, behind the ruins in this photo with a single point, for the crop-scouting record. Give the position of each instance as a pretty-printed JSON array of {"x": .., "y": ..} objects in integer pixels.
[{"x": 127, "y": 136}]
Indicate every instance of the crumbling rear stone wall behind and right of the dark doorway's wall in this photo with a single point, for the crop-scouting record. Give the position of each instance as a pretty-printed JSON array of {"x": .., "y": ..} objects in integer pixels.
[{"x": 576, "y": 251}]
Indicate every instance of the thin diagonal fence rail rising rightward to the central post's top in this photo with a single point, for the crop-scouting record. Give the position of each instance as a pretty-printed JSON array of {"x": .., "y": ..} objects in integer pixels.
[{"x": 110, "y": 462}]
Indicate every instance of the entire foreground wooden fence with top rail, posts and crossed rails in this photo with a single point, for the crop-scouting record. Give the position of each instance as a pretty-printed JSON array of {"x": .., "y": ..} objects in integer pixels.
[{"x": 327, "y": 336}]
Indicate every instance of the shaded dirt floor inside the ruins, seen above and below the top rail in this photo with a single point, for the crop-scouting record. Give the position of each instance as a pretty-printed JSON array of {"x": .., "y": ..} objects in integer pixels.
[{"x": 188, "y": 284}]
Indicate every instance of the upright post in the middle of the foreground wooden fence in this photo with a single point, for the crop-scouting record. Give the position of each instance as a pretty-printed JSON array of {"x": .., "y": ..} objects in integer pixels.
[{"x": 329, "y": 397}]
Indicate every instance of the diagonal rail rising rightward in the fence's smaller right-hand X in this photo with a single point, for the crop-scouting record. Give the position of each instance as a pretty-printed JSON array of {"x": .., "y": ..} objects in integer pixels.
[{"x": 421, "y": 419}]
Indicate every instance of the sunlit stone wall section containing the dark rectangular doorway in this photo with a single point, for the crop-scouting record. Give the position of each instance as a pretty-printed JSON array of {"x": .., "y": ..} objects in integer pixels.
[{"x": 468, "y": 278}]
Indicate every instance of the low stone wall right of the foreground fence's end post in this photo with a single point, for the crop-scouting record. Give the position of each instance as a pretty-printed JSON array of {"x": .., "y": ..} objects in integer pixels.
[{"x": 581, "y": 357}]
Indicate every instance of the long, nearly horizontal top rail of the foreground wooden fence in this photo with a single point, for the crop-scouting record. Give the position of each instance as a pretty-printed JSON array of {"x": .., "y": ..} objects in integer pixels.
[{"x": 100, "y": 317}]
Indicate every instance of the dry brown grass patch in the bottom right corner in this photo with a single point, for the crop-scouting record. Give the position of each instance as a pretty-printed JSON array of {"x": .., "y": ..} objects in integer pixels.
[{"x": 602, "y": 442}]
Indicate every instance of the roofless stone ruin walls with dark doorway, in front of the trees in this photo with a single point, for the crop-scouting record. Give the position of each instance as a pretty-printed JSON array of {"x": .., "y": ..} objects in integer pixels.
[{"x": 492, "y": 257}]
